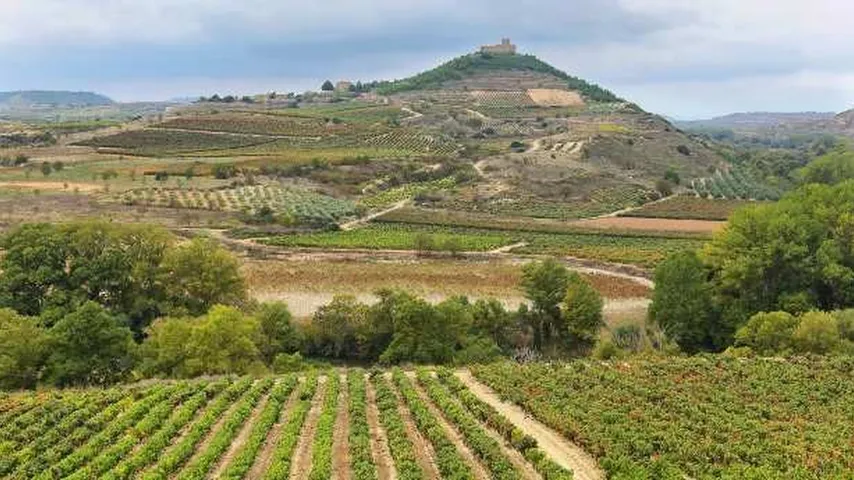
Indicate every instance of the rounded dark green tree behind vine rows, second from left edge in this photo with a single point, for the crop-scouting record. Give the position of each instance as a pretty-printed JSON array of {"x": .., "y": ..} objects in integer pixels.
[{"x": 89, "y": 347}]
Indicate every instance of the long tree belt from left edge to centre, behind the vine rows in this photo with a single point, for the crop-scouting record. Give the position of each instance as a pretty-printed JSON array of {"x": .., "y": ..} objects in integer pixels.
[{"x": 95, "y": 303}]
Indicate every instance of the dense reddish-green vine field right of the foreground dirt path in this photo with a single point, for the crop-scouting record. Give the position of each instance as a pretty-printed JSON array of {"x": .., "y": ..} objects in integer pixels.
[{"x": 702, "y": 417}]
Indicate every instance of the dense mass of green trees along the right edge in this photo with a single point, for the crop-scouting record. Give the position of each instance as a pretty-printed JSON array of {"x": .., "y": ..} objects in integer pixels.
[{"x": 763, "y": 283}]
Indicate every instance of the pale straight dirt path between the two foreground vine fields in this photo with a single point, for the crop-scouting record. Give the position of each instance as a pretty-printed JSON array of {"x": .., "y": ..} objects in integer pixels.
[{"x": 559, "y": 449}]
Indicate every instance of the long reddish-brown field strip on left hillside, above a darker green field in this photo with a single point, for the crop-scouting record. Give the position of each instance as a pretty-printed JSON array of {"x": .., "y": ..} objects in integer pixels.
[{"x": 257, "y": 124}]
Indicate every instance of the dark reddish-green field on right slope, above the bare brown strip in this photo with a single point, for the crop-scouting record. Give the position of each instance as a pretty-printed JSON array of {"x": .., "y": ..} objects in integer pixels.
[{"x": 688, "y": 207}]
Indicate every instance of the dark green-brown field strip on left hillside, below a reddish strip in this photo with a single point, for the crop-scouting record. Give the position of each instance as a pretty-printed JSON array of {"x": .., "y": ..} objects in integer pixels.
[{"x": 156, "y": 142}]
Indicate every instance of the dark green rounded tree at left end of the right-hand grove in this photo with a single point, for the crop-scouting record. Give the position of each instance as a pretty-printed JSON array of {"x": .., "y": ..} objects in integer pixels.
[{"x": 682, "y": 304}]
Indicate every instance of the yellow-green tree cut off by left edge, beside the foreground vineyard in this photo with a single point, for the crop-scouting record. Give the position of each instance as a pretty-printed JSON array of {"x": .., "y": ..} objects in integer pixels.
[{"x": 23, "y": 347}]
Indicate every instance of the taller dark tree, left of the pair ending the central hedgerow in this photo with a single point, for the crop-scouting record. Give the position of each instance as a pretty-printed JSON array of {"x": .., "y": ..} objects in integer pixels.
[{"x": 545, "y": 284}]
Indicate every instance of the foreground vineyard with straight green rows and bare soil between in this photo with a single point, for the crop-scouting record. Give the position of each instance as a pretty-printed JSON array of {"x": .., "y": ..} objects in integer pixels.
[{"x": 329, "y": 426}]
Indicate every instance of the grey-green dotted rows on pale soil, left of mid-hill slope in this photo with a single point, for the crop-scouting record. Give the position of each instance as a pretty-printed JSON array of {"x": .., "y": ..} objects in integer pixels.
[{"x": 287, "y": 204}]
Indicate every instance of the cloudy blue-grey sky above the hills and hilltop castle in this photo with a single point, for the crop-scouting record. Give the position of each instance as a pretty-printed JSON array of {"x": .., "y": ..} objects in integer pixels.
[{"x": 682, "y": 58}]
